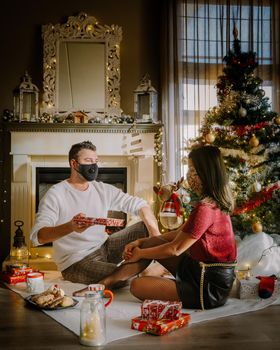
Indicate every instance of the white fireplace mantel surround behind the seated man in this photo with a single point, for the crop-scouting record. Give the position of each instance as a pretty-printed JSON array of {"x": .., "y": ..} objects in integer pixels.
[{"x": 47, "y": 145}]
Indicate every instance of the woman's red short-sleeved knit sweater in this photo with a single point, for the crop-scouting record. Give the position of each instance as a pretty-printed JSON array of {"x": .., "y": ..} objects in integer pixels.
[{"x": 213, "y": 230}]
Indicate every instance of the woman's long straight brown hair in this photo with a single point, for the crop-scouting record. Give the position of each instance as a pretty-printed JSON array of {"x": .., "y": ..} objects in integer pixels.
[{"x": 210, "y": 168}]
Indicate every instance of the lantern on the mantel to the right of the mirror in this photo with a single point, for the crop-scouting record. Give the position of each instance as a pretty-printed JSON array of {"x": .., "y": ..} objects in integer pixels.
[{"x": 145, "y": 101}]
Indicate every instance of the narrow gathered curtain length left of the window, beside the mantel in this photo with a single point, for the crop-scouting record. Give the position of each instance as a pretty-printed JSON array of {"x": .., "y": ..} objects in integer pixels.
[{"x": 171, "y": 94}]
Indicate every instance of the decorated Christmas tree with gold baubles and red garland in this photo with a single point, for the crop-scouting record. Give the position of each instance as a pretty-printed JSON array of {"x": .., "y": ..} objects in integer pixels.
[{"x": 247, "y": 132}]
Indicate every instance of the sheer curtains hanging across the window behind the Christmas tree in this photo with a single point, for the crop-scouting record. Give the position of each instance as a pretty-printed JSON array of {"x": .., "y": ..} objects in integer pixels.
[{"x": 196, "y": 35}]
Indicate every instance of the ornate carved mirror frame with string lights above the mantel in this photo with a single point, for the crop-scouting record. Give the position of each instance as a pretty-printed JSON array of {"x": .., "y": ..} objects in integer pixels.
[{"x": 81, "y": 29}]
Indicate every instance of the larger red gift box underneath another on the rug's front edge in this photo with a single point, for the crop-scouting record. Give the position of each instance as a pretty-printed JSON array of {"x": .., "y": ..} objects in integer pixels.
[{"x": 159, "y": 327}]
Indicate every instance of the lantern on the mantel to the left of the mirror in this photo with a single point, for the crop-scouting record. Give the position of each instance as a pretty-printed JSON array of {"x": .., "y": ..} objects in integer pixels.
[{"x": 26, "y": 100}]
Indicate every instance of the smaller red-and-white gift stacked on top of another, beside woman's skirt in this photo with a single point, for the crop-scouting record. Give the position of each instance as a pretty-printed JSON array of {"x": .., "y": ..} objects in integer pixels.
[{"x": 159, "y": 309}]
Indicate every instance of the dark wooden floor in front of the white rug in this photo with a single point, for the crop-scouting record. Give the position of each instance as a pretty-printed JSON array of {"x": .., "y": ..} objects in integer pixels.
[{"x": 27, "y": 329}]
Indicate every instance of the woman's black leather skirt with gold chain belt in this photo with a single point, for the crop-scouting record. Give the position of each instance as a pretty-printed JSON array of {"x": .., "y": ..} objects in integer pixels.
[{"x": 203, "y": 287}]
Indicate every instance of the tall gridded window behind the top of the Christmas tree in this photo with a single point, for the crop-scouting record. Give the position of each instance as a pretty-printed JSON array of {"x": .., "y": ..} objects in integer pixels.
[{"x": 205, "y": 30}]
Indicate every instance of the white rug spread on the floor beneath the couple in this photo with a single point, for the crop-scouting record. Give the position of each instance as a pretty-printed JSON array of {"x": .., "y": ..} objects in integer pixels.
[{"x": 125, "y": 307}]
